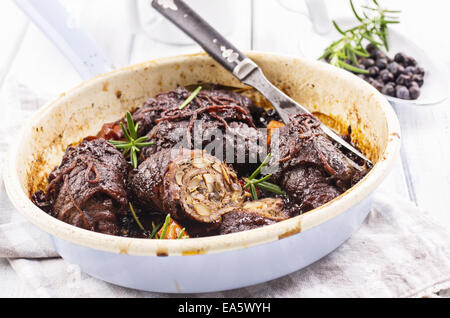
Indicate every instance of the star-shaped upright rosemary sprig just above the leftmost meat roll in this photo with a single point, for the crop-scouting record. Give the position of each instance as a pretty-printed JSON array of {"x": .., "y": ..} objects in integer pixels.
[{"x": 133, "y": 143}]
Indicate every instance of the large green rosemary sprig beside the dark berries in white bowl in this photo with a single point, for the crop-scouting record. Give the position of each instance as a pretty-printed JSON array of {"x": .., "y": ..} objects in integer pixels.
[{"x": 372, "y": 28}]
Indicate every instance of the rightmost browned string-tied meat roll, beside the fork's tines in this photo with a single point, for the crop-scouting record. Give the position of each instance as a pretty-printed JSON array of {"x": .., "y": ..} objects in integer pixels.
[{"x": 312, "y": 170}]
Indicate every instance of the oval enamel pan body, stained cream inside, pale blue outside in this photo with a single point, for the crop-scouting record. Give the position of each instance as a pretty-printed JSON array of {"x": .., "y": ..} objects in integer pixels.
[{"x": 212, "y": 263}]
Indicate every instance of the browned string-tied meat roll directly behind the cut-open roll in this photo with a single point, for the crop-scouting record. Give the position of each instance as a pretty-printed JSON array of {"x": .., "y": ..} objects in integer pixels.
[{"x": 217, "y": 121}]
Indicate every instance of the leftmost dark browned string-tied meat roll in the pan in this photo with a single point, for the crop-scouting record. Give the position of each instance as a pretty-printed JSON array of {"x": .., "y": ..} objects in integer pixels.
[{"x": 88, "y": 188}]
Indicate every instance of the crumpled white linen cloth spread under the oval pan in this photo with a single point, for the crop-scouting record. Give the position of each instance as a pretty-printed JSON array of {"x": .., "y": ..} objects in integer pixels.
[{"x": 399, "y": 251}]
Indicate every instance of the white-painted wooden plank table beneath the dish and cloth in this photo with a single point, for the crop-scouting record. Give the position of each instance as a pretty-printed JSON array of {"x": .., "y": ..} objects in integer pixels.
[{"x": 422, "y": 174}]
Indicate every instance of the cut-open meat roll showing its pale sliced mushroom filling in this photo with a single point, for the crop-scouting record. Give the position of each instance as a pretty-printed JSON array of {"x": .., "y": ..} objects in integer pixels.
[{"x": 188, "y": 184}]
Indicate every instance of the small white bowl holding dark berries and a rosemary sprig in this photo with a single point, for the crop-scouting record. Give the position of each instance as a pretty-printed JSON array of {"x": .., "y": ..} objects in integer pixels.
[{"x": 367, "y": 46}]
